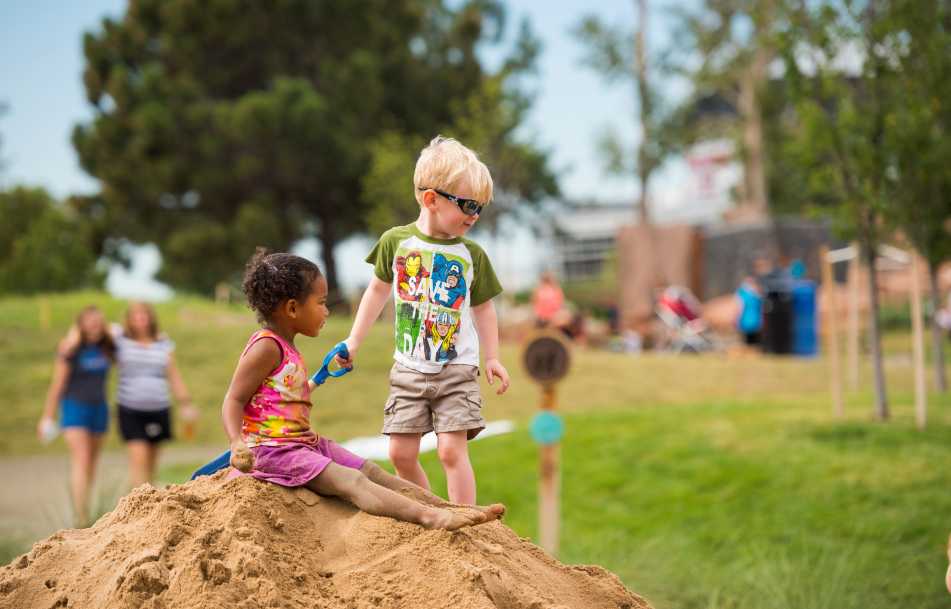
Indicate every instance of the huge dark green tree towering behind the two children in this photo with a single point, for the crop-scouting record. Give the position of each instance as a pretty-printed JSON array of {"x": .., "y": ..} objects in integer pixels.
[{"x": 223, "y": 125}]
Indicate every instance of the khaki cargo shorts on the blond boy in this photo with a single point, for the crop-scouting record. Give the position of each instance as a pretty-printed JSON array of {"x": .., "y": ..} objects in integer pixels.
[{"x": 448, "y": 400}]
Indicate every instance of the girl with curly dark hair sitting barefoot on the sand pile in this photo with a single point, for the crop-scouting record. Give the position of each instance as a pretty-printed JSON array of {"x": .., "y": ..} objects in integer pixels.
[{"x": 266, "y": 411}]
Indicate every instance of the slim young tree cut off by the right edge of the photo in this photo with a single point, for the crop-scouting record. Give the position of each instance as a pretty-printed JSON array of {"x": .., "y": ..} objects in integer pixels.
[{"x": 920, "y": 135}]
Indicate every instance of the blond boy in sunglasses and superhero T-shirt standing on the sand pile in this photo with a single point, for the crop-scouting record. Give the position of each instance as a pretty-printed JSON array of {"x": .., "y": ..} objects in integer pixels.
[{"x": 442, "y": 286}]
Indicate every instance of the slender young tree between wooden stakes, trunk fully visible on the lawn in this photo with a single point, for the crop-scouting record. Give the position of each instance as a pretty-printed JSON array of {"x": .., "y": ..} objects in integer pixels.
[{"x": 843, "y": 121}]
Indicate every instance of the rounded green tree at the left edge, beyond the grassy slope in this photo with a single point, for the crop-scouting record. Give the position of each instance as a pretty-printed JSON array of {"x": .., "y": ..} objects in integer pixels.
[{"x": 43, "y": 247}]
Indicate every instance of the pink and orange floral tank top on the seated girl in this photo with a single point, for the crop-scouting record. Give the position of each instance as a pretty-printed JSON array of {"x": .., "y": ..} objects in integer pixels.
[{"x": 279, "y": 411}]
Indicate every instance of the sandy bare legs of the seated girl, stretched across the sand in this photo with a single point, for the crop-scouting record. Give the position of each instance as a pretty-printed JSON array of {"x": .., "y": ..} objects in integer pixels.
[{"x": 353, "y": 486}]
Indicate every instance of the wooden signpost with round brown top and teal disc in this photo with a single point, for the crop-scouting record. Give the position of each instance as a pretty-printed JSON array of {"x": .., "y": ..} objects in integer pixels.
[{"x": 546, "y": 359}]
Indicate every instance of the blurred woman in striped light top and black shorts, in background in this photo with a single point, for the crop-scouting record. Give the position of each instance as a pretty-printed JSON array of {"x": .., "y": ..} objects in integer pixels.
[{"x": 147, "y": 375}]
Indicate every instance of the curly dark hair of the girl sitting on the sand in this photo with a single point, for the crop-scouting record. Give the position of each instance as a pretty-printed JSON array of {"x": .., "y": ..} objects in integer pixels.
[{"x": 271, "y": 278}]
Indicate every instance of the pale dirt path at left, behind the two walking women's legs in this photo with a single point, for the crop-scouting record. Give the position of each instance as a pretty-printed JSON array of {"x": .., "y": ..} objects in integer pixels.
[{"x": 35, "y": 502}]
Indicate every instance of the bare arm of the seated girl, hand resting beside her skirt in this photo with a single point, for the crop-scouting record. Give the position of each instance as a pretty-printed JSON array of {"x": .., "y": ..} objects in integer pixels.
[{"x": 253, "y": 368}]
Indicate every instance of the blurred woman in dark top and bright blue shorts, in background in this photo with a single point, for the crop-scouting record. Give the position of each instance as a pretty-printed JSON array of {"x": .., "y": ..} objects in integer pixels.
[{"x": 78, "y": 391}]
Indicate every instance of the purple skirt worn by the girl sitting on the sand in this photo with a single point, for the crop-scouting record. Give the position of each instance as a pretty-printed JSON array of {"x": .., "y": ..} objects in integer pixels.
[{"x": 296, "y": 464}]
